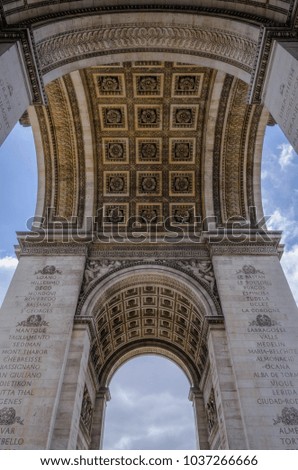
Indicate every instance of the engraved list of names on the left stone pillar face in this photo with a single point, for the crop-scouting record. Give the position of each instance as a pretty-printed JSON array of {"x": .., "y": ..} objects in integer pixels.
[{"x": 22, "y": 365}]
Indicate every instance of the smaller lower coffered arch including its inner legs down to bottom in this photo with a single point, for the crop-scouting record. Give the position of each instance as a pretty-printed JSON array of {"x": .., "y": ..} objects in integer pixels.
[{"x": 150, "y": 309}]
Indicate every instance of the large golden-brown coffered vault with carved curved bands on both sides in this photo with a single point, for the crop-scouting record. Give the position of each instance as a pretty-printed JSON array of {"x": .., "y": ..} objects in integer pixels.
[{"x": 148, "y": 142}]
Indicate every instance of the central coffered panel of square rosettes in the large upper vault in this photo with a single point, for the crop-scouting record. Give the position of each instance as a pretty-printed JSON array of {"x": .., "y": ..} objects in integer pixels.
[{"x": 149, "y": 122}]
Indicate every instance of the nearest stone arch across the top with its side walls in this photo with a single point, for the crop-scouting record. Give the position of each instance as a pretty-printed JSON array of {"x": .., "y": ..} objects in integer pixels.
[{"x": 242, "y": 41}]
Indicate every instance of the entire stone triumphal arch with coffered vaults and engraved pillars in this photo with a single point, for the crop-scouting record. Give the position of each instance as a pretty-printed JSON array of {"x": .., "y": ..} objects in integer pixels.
[{"x": 85, "y": 133}]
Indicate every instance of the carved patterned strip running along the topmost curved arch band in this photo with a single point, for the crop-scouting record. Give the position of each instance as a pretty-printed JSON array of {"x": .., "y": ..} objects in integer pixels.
[{"x": 221, "y": 45}]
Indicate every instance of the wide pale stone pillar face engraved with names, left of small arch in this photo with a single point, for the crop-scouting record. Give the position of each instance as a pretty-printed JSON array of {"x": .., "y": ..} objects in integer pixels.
[{"x": 36, "y": 327}]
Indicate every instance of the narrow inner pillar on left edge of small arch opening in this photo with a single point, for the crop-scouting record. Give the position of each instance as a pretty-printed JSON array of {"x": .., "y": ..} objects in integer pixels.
[{"x": 102, "y": 397}]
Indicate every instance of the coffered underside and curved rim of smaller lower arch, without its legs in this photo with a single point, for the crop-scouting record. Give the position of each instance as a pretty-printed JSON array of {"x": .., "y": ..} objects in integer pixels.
[{"x": 151, "y": 311}]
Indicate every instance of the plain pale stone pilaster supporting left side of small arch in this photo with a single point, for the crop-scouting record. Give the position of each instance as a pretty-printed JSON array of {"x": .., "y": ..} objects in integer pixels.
[{"x": 69, "y": 410}]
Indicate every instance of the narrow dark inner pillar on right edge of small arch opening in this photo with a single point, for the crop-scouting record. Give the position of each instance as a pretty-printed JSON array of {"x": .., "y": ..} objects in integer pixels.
[{"x": 200, "y": 418}]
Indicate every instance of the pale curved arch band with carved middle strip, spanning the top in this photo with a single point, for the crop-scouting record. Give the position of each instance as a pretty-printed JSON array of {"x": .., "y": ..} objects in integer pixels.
[{"x": 79, "y": 42}]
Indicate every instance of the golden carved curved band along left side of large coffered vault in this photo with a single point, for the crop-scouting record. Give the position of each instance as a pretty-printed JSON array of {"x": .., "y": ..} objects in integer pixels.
[{"x": 66, "y": 142}]
